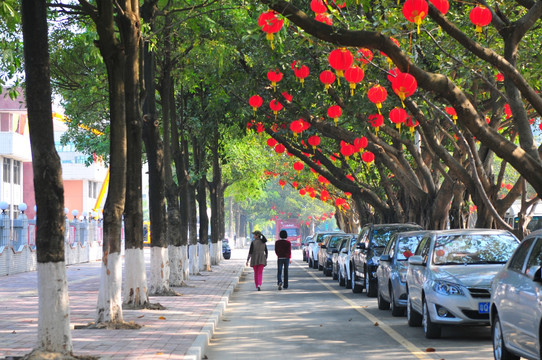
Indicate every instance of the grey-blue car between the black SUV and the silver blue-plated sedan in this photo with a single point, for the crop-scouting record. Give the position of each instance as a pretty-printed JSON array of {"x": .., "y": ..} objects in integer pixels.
[{"x": 391, "y": 271}]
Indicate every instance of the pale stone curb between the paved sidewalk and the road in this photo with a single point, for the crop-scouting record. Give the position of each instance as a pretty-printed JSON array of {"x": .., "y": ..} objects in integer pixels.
[{"x": 199, "y": 346}]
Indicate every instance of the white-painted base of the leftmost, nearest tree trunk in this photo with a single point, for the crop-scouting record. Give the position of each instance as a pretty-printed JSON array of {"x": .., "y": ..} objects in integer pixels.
[{"x": 54, "y": 334}]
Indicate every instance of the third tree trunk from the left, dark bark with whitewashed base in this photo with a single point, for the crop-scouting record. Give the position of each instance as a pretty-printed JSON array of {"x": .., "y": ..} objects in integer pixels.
[{"x": 135, "y": 279}]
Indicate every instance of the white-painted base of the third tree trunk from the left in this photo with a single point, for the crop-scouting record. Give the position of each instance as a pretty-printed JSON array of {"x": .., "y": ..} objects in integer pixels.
[{"x": 135, "y": 292}]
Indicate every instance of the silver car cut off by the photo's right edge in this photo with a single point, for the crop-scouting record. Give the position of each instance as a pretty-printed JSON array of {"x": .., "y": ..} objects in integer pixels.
[{"x": 516, "y": 303}]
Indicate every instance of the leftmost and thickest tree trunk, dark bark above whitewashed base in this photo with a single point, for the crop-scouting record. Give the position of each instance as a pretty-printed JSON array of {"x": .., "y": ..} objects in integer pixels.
[{"x": 54, "y": 333}]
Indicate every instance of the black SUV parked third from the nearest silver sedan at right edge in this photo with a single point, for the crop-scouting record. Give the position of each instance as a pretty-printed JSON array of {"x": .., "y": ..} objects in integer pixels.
[{"x": 372, "y": 240}]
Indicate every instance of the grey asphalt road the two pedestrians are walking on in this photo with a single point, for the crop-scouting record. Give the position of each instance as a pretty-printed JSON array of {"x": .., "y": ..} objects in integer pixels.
[{"x": 317, "y": 319}]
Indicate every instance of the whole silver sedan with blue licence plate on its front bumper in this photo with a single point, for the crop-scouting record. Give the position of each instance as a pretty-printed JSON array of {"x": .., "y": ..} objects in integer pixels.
[{"x": 449, "y": 277}]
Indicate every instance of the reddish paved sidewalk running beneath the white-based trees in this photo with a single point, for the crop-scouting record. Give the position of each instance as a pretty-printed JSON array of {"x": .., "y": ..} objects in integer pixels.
[{"x": 182, "y": 331}]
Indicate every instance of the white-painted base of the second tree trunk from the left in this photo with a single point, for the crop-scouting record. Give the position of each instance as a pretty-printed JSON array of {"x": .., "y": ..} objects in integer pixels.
[{"x": 109, "y": 296}]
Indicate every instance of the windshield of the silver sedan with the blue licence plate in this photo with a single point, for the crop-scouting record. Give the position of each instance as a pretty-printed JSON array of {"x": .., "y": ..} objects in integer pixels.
[{"x": 473, "y": 249}]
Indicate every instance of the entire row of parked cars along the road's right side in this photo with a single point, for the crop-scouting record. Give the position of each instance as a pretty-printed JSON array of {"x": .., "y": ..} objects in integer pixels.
[{"x": 448, "y": 277}]
